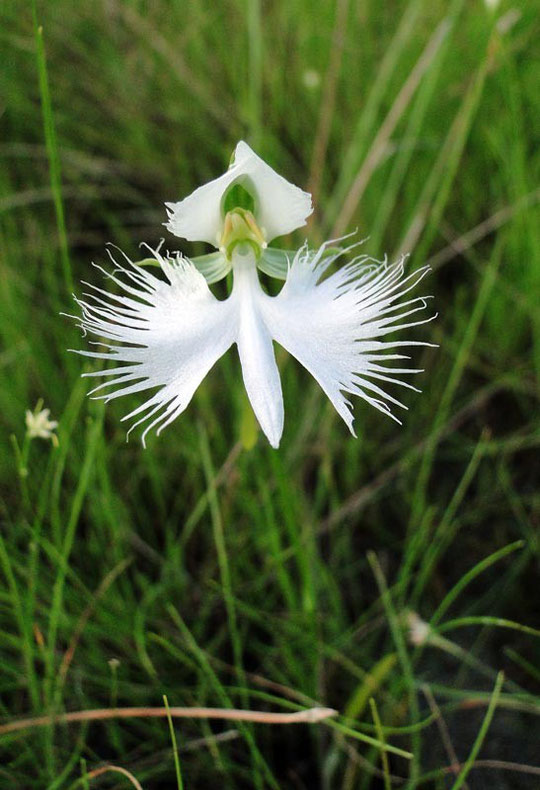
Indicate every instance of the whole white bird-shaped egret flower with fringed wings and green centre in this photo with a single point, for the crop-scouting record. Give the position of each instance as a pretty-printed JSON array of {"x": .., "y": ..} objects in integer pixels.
[{"x": 166, "y": 332}]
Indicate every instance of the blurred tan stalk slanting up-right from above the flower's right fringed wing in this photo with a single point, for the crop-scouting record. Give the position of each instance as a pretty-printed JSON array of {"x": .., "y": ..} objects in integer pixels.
[{"x": 380, "y": 143}]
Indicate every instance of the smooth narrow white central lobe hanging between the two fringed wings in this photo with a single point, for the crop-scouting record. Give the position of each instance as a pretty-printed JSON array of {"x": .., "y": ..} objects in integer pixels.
[{"x": 259, "y": 369}]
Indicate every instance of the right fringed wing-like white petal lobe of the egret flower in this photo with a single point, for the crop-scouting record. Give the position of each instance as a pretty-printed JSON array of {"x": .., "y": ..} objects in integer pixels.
[{"x": 334, "y": 327}]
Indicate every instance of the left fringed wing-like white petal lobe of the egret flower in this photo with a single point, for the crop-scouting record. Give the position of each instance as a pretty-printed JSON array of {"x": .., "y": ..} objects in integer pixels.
[{"x": 166, "y": 335}]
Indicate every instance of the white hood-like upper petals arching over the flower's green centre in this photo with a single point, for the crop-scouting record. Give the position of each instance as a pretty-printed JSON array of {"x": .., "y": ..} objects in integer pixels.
[{"x": 280, "y": 207}]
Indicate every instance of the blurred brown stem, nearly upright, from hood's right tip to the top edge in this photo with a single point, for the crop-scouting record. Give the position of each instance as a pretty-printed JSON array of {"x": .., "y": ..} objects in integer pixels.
[{"x": 328, "y": 102}]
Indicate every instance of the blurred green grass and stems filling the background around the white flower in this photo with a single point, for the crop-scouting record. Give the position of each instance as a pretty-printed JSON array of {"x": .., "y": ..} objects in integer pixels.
[{"x": 225, "y": 576}]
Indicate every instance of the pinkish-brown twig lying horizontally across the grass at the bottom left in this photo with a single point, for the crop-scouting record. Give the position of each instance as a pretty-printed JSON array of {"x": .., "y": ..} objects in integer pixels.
[{"x": 308, "y": 716}]
